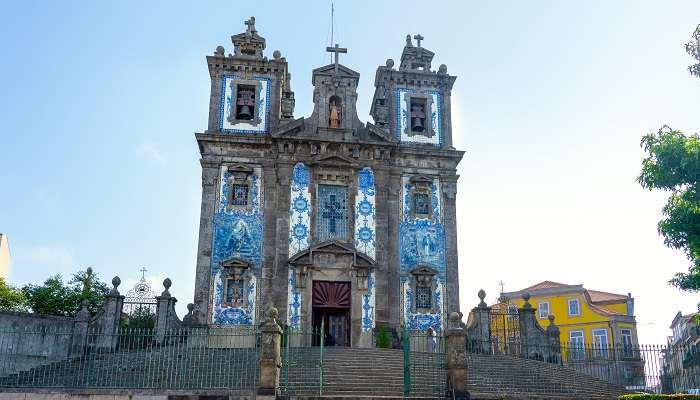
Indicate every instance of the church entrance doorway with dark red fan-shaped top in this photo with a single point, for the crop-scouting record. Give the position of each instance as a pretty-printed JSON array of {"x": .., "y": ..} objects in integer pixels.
[{"x": 331, "y": 310}]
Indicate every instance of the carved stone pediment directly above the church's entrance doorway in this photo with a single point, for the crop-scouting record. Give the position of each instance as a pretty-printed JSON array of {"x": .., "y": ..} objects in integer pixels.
[{"x": 332, "y": 254}]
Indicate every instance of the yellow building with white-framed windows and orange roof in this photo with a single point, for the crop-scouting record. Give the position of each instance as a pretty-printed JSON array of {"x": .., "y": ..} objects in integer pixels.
[{"x": 586, "y": 318}]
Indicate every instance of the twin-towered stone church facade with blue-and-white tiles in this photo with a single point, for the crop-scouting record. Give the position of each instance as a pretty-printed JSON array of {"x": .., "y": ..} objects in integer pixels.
[{"x": 329, "y": 219}]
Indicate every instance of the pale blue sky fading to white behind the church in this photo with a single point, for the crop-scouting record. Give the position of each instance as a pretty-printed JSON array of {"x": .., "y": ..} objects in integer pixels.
[{"x": 100, "y": 101}]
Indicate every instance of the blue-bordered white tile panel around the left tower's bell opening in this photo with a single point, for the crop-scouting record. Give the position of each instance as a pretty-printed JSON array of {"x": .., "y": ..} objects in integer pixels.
[{"x": 257, "y": 101}]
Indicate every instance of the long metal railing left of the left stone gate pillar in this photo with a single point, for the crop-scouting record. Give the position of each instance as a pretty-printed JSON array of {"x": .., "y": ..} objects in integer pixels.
[{"x": 206, "y": 358}]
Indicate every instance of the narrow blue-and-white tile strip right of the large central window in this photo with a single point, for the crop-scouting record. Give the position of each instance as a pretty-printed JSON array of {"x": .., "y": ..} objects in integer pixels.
[{"x": 365, "y": 207}]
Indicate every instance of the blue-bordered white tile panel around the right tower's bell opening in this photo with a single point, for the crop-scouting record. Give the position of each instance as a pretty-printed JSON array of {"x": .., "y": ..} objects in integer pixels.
[{"x": 434, "y": 117}]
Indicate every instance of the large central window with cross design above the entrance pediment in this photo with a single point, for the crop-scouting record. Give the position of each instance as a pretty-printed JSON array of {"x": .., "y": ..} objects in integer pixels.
[{"x": 332, "y": 212}]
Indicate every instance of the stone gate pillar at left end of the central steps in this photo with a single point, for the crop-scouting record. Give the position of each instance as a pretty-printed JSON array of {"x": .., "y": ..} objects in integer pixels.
[{"x": 270, "y": 356}]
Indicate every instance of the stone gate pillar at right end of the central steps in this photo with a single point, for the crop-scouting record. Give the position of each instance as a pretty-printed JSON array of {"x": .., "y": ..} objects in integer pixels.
[{"x": 457, "y": 358}]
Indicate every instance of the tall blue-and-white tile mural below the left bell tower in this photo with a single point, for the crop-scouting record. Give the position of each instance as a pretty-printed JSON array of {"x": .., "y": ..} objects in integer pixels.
[{"x": 238, "y": 233}]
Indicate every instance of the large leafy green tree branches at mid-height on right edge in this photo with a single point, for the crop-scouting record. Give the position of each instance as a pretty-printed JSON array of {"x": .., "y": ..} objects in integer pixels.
[{"x": 673, "y": 164}]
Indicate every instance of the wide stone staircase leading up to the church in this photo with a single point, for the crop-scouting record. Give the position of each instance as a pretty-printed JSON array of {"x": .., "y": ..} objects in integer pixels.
[{"x": 348, "y": 373}]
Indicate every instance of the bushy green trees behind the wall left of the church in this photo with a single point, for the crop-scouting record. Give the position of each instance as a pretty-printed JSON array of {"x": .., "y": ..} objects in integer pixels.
[{"x": 56, "y": 298}]
